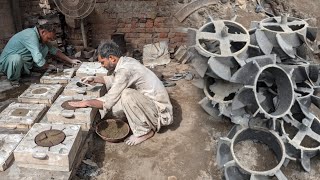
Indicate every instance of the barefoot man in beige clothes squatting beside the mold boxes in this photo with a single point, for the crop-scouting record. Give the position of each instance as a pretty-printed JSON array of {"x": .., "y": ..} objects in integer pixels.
[{"x": 135, "y": 90}]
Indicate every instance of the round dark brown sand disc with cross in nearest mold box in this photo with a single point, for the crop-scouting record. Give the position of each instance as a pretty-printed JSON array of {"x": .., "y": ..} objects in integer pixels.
[{"x": 50, "y": 138}]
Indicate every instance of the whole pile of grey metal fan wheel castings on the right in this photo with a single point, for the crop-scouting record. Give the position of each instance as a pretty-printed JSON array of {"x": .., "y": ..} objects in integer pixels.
[{"x": 262, "y": 80}]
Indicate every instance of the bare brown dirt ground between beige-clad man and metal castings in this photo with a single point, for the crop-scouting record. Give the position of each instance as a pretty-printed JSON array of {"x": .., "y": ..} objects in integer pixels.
[{"x": 186, "y": 149}]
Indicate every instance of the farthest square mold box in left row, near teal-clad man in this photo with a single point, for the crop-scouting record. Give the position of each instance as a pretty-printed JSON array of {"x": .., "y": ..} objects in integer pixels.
[{"x": 57, "y": 77}]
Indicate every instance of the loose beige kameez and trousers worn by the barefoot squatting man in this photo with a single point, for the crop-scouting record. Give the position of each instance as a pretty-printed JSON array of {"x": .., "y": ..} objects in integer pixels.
[{"x": 140, "y": 94}]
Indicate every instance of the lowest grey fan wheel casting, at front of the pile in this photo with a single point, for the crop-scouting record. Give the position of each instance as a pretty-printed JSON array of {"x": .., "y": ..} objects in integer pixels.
[{"x": 235, "y": 169}]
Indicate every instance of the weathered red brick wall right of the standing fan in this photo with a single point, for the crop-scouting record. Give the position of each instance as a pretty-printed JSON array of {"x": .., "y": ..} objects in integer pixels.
[{"x": 142, "y": 21}]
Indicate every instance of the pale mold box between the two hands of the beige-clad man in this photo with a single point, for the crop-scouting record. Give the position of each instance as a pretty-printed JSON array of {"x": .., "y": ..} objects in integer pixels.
[{"x": 72, "y": 89}]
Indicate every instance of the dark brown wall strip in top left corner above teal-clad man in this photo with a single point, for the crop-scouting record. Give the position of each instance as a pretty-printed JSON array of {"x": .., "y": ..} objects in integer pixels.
[{"x": 7, "y": 28}]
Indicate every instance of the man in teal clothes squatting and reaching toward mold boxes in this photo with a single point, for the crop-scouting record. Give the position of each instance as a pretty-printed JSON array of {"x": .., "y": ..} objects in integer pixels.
[{"x": 29, "y": 48}]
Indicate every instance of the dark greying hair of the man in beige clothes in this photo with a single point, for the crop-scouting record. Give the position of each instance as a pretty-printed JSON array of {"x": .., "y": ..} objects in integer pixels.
[{"x": 108, "y": 48}]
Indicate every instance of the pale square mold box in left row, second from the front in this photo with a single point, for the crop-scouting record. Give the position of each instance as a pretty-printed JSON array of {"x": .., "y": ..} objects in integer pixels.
[{"x": 21, "y": 115}]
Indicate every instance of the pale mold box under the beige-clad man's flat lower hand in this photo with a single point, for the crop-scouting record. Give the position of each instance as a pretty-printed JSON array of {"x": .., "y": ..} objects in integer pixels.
[{"x": 61, "y": 112}]
